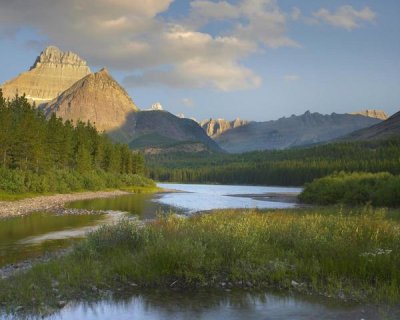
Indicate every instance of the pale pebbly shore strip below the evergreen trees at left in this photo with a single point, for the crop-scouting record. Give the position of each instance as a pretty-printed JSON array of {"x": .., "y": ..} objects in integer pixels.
[{"x": 55, "y": 203}]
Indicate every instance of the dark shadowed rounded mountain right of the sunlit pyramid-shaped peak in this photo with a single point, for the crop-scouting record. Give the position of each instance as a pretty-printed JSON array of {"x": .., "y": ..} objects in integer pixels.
[{"x": 159, "y": 131}]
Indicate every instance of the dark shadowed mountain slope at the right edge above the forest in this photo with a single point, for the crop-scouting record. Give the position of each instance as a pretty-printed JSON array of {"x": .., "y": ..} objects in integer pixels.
[{"x": 385, "y": 129}]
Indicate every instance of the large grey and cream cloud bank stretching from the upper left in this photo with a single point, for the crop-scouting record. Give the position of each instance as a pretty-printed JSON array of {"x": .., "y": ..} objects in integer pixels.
[{"x": 133, "y": 37}]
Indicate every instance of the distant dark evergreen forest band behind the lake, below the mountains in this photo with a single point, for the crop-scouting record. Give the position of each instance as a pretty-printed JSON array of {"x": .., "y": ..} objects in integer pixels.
[{"x": 292, "y": 167}]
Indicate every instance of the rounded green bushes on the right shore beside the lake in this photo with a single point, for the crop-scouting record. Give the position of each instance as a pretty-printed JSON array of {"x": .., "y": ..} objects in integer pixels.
[{"x": 378, "y": 189}]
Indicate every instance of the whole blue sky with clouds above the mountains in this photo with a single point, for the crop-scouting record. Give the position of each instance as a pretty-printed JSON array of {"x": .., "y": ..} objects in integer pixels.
[{"x": 253, "y": 59}]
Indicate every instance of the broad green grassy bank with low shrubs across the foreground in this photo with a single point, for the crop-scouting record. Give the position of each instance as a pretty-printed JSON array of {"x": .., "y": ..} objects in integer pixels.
[{"x": 338, "y": 252}]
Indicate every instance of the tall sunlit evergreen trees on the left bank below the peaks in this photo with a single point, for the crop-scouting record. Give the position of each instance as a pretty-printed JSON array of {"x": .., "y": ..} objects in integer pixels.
[{"x": 39, "y": 155}]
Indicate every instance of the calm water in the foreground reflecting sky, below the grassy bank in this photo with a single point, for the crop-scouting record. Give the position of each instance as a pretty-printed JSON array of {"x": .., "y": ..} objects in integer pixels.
[{"x": 235, "y": 305}]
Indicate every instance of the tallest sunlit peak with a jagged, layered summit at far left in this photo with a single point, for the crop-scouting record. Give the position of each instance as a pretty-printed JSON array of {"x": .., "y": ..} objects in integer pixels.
[{"x": 53, "y": 72}]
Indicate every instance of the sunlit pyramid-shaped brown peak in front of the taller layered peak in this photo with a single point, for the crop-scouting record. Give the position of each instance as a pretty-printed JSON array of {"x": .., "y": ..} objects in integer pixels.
[{"x": 97, "y": 98}]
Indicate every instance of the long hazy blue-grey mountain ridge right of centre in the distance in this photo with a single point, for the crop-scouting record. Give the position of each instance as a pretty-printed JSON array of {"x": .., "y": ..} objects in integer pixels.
[{"x": 293, "y": 131}]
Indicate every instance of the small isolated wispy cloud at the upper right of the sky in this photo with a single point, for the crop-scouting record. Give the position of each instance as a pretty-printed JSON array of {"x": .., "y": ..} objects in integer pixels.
[{"x": 346, "y": 17}]
